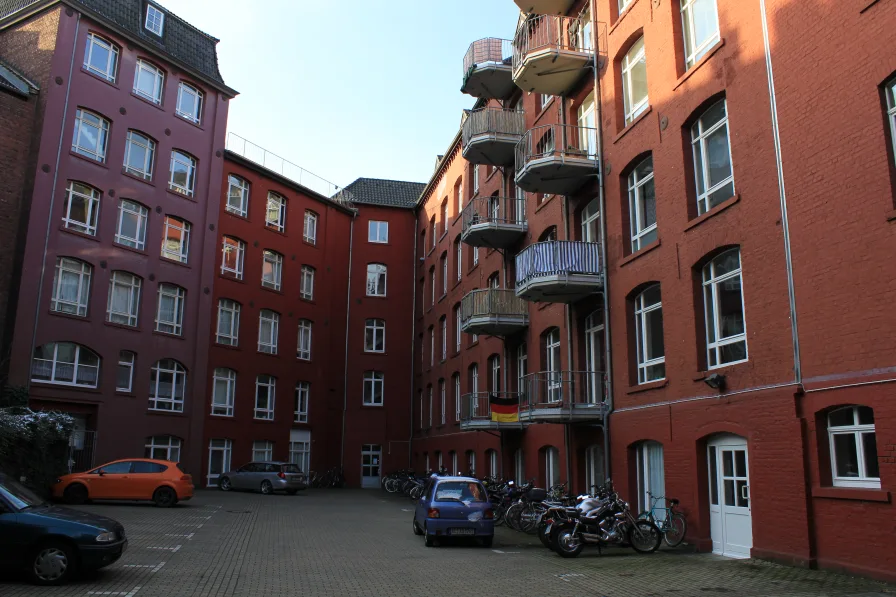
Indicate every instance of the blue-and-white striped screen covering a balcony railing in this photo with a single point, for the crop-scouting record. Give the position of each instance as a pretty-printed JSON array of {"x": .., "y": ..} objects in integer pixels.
[{"x": 557, "y": 257}]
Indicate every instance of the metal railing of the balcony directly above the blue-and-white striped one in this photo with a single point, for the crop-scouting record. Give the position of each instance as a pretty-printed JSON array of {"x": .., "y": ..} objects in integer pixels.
[{"x": 561, "y": 141}]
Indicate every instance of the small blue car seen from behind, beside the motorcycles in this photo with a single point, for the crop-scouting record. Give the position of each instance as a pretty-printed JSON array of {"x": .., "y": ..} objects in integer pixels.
[{"x": 454, "y": 507}]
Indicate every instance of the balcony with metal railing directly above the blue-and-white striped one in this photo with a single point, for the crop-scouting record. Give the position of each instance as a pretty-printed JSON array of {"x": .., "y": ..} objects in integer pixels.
[{"x": 556, "y": 159}]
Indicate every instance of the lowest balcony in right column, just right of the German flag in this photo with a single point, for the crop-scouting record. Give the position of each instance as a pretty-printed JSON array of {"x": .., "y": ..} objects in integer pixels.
[{"x": 564, "y": 397}]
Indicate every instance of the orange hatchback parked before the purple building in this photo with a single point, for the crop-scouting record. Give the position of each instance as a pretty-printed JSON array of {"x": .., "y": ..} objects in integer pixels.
[{"x": 159, "y": 481}]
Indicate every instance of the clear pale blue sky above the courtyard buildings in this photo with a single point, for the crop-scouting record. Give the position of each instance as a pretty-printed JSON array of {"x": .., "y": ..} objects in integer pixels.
[{"x": 350, "y": 88}]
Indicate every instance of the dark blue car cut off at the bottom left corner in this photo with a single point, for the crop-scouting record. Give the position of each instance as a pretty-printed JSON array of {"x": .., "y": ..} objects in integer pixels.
[{"x": 50, "y": 542}]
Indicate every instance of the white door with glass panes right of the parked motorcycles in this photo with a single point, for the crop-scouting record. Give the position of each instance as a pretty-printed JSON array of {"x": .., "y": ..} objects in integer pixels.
[{"x": 731, "y": 523}]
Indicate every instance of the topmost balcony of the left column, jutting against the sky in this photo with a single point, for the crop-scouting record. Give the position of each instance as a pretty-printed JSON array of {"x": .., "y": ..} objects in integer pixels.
[{"x": 488, "y": 69}]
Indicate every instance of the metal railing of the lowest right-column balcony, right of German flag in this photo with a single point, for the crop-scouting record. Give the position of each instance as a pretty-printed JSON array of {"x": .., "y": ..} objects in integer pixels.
[{"x": 563, "y": 389}]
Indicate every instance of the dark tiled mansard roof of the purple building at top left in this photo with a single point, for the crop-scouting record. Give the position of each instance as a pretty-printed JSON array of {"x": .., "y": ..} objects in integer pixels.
[{"x": 180, "y": 42}]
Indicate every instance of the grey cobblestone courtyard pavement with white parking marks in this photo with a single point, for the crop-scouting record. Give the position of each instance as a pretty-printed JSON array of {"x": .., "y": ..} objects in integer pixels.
[{"x": 353, "y": 543}]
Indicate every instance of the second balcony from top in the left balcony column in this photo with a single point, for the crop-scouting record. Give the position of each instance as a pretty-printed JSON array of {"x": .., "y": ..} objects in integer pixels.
[{"x": 490, "y": 136}]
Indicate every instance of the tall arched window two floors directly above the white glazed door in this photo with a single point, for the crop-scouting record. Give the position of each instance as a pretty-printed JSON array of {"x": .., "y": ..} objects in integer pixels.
[{"x": 712, "y": 157}]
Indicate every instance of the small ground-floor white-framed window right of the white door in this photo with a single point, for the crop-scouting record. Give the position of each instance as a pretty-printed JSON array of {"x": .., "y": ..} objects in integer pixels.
[{"x": 853, "y": 447}]
